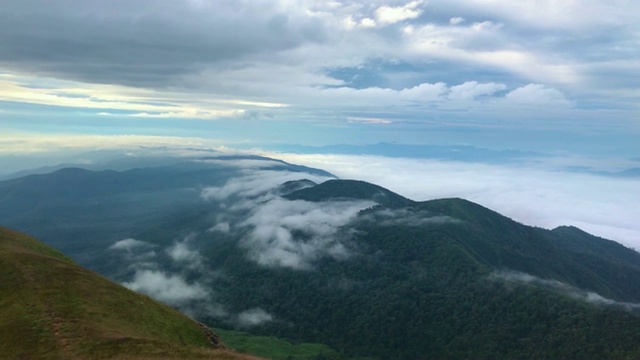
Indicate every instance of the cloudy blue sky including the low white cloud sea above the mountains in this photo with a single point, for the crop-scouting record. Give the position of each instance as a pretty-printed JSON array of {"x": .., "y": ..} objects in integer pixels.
[{"x": 558, "y": 79}]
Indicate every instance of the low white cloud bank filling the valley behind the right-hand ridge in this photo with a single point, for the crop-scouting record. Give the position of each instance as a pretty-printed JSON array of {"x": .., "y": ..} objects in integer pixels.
[{"x": 541, "y": 192}]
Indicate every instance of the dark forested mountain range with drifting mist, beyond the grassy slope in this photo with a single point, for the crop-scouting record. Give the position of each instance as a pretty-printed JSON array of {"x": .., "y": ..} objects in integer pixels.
[{"x": 282, "y": 250}]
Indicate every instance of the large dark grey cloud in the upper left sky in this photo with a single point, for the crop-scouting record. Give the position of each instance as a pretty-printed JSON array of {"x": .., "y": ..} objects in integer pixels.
[{"x": 144, "y": 43}]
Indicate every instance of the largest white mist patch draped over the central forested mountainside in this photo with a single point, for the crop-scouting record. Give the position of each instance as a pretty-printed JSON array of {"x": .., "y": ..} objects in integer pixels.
[{"x": 282, "y": 233}]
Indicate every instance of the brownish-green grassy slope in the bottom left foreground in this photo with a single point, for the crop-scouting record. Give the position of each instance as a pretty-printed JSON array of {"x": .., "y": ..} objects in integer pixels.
[{"x": 50, "y": 308}]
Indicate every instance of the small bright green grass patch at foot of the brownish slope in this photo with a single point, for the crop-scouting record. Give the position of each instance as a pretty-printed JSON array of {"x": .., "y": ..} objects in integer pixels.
[{"x": 273, "y": 348}]
